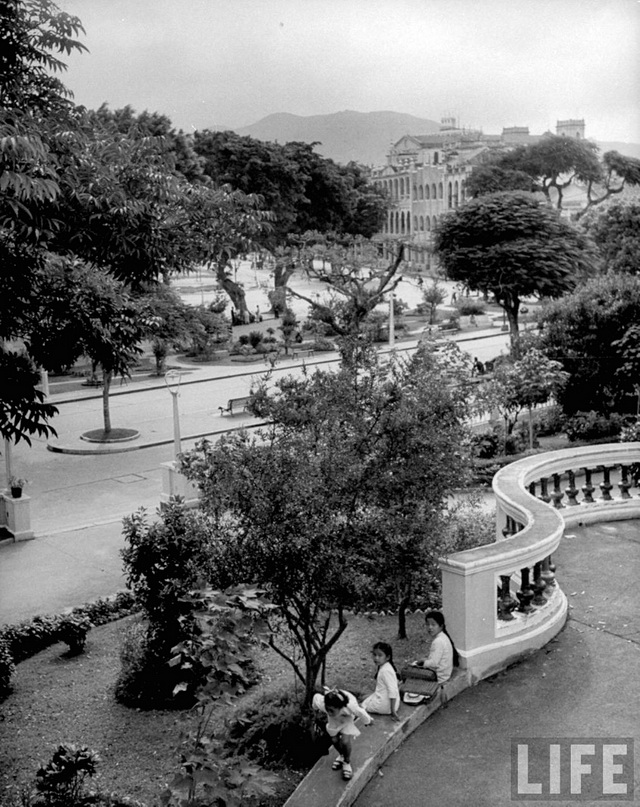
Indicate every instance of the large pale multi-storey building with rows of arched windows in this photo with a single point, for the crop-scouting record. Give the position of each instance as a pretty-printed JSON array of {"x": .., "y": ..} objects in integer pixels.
[{"x": 424, "y": 177}]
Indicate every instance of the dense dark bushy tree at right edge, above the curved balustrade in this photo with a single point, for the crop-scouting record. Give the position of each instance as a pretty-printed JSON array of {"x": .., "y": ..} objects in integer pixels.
[{"x": 585, "y": 332}]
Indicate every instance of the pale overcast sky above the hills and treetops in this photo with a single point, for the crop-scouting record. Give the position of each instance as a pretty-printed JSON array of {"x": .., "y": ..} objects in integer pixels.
[{"x": 491, "y": 63}]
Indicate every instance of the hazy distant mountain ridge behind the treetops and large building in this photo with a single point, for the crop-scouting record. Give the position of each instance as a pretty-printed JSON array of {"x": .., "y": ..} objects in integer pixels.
[{"x": 361, "y": 136}]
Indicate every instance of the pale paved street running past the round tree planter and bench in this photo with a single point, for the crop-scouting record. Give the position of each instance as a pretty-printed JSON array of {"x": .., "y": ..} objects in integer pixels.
[{"x": 84, "y": 489}]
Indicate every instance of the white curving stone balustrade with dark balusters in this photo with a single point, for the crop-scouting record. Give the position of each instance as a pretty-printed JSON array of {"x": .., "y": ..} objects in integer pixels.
[{"x": 504, "y": 600}]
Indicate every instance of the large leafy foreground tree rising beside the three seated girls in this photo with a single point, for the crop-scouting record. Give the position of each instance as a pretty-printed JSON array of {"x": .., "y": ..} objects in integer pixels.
[{"x": 344, "y": 492}]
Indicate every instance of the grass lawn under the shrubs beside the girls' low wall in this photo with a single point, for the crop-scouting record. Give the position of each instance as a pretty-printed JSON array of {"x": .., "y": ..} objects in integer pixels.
[{"x": 60, "y": 699}]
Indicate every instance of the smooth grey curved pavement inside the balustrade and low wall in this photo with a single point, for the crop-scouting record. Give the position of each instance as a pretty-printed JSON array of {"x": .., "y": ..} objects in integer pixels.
[{"x": 582, "y": 684}]
